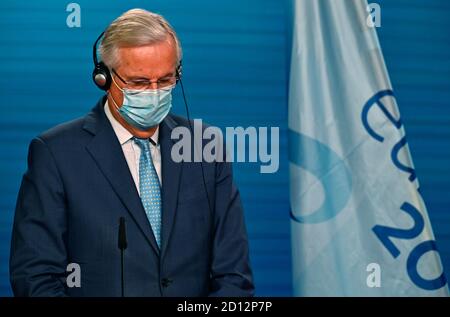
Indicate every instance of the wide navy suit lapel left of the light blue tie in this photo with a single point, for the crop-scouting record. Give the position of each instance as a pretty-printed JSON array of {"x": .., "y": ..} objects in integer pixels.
[{"x": 106, "y": 150}]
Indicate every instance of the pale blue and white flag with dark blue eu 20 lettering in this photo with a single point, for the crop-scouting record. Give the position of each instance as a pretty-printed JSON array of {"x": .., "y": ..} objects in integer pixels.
[{"x": 359, "y": 225}]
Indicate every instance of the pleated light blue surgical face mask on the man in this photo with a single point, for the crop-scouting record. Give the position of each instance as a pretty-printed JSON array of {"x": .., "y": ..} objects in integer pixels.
[{"x": 144, "y": 109}]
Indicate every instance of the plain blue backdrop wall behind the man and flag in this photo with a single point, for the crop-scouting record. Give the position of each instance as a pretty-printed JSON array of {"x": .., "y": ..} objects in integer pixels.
[{"x": 236, "y": 65}]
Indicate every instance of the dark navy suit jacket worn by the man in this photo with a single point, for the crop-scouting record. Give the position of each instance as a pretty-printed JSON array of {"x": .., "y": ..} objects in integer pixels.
[{"x": 72, "y": 195}]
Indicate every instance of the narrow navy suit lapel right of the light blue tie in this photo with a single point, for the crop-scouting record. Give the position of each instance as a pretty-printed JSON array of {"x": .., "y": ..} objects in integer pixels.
[{"x": 171, "y": 172}]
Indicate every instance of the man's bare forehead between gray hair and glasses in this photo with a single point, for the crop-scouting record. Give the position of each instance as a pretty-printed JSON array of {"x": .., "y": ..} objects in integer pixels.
[{"x": 149, "y": 61}]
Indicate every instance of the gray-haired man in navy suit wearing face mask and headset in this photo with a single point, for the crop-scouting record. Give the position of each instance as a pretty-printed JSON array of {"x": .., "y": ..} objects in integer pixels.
[{"x": 84, "y": 175}]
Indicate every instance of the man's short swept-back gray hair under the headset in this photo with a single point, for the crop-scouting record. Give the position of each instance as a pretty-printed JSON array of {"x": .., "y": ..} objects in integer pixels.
[{"x": 135, "y": 27}]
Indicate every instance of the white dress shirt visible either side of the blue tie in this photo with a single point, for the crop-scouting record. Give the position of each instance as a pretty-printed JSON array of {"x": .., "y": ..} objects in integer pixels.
[{"x": 131, "y": 150}]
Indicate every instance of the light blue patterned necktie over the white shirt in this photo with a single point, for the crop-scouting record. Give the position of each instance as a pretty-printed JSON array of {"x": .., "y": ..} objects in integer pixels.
[{"x": 149, "y": 188}]
